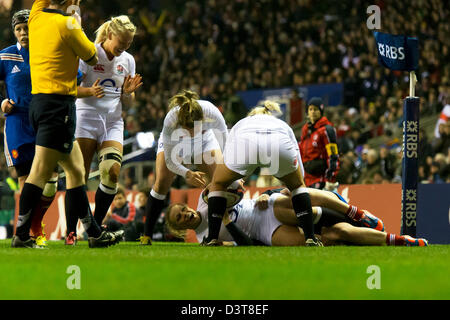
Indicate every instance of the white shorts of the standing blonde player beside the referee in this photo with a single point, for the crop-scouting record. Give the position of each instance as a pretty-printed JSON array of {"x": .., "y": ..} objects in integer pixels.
[{"x": 99, "y": 127}]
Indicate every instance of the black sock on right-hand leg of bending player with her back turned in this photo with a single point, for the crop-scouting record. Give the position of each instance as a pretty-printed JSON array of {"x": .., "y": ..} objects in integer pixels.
[{"x": 301, "y": 203}]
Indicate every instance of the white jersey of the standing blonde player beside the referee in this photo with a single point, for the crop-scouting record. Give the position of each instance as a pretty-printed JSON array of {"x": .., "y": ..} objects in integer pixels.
[{"x": 111, "y": 74}]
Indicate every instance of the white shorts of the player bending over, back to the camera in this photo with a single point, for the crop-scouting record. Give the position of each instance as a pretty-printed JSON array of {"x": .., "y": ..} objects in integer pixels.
[{"x": 245, "y": 153}]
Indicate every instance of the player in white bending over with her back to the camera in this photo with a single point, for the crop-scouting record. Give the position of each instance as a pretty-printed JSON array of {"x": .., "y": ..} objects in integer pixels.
[{"x": 247, "y": 148}]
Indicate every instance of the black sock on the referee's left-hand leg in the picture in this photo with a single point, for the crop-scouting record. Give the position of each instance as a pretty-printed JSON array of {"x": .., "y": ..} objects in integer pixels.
[{"x": 29, "y": 199}]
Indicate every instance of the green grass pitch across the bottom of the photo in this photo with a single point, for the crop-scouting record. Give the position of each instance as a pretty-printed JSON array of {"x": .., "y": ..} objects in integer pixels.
[{"x": 180, "y": 271}]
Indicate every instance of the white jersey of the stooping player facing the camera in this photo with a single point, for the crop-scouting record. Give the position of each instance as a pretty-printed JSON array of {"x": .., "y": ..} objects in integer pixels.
[{"x": 212, "y": 120}]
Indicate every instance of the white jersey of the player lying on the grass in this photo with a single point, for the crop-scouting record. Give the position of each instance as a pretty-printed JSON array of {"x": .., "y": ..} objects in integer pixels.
[{"x": 241, "y": 214}]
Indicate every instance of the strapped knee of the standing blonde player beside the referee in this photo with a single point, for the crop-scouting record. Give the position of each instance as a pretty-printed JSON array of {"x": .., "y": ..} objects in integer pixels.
[{"x": 110, "y": 160}]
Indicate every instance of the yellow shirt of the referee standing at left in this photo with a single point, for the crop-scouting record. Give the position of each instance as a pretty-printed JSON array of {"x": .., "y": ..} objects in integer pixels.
[{"x": 56, "y": 44}]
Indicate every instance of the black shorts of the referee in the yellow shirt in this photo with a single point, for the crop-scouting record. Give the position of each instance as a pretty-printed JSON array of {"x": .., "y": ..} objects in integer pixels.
[{"x": 53, "y": 118}]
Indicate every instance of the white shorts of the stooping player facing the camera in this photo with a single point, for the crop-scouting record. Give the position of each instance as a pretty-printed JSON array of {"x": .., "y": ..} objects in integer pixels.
[{"x": 192, "y": 149}]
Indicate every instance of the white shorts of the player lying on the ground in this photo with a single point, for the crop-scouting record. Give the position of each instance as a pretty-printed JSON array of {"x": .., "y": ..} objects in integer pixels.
[{"x": 265, "y": 222}]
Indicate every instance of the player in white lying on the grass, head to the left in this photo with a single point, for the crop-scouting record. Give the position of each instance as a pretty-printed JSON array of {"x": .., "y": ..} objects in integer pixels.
[{"x": 270, "y": 220}]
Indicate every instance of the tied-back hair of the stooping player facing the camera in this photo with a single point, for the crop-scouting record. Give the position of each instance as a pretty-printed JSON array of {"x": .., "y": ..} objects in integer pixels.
[{"x": 190, "y": 109}]
